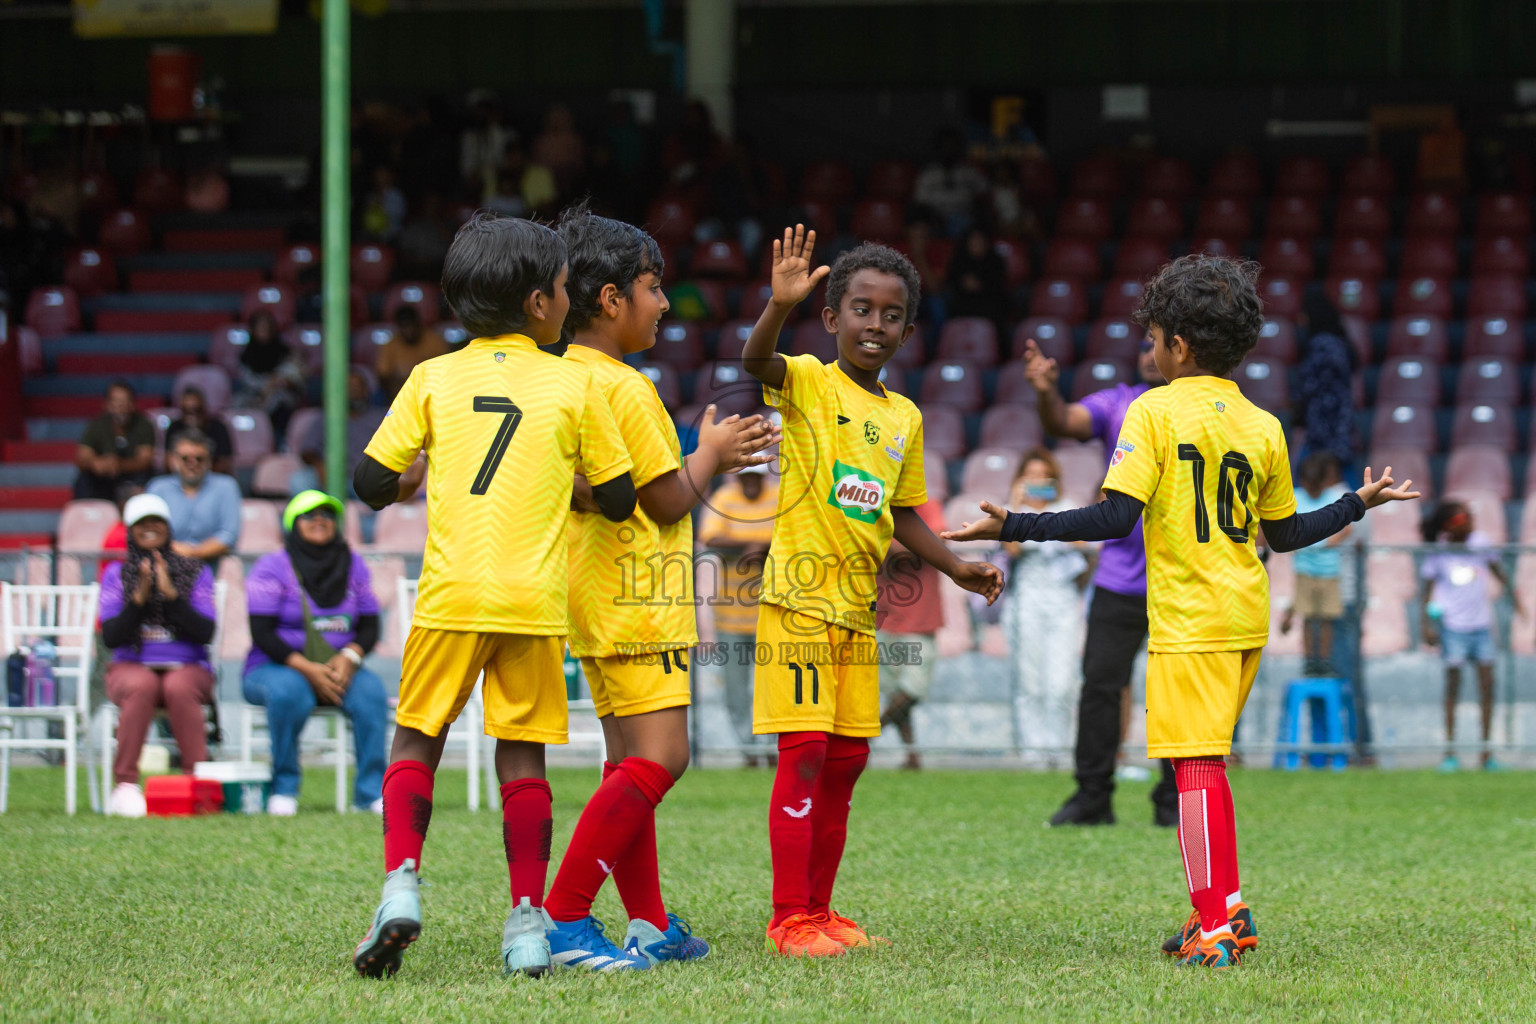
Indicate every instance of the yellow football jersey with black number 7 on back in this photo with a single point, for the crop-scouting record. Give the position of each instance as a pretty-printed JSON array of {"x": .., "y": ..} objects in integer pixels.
[{"x": 506, "y": 429}]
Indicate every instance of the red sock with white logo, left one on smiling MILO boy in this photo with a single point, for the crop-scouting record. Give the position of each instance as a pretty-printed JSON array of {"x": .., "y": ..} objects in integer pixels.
[{"x": 801, "y": 759}]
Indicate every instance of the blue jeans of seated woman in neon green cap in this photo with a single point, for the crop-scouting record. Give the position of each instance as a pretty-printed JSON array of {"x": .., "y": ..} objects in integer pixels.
[{"x": 290, "y": 699}]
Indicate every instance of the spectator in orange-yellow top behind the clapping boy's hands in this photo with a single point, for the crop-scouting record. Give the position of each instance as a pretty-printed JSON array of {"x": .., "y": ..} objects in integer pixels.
[{"x": 737, "y": 526}]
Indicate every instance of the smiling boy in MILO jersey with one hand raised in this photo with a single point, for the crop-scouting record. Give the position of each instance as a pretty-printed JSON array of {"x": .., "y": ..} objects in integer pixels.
[{"x": 852, "y": 478}]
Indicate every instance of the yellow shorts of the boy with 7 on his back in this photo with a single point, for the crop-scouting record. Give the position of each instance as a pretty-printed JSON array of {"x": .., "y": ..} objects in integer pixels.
[{"x": 525, "y": 690}]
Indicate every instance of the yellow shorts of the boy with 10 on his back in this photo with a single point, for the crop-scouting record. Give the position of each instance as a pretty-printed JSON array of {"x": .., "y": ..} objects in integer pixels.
[{"x": 1194, "y": 701}]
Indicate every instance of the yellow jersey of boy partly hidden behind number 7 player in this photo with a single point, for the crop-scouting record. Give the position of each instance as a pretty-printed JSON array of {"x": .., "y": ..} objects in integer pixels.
[{"x": 632, "y": 583}]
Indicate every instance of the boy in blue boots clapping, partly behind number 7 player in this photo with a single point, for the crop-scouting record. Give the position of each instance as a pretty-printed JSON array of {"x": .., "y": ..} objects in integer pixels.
[{"x": 632, "y": 612}]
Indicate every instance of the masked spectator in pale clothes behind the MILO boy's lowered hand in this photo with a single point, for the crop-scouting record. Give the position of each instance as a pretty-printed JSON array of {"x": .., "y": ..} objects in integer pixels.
[{"x": 1044, "y": 618}]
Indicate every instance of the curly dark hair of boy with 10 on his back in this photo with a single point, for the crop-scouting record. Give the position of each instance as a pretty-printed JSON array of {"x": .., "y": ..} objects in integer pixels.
[{"x": 1211, "y": 303}]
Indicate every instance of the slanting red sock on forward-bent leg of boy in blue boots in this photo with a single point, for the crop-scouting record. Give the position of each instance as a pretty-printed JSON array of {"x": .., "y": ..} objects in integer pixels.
[{"x": 604, "y": 833}]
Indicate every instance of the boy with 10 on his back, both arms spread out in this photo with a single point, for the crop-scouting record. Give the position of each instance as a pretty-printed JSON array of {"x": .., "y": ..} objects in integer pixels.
[{"x": 1202, "y": 467}]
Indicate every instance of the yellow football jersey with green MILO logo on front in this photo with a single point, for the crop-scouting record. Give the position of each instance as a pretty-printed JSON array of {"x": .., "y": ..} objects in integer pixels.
[{"x": 846, "y": 460}]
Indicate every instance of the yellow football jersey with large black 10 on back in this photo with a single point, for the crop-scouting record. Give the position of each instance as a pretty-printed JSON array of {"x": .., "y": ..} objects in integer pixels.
[{"x": 1210, "y": 466}]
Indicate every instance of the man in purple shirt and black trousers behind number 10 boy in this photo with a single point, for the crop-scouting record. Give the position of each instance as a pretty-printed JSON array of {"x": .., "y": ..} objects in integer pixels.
[{"x": 1117, "y": 616}]
